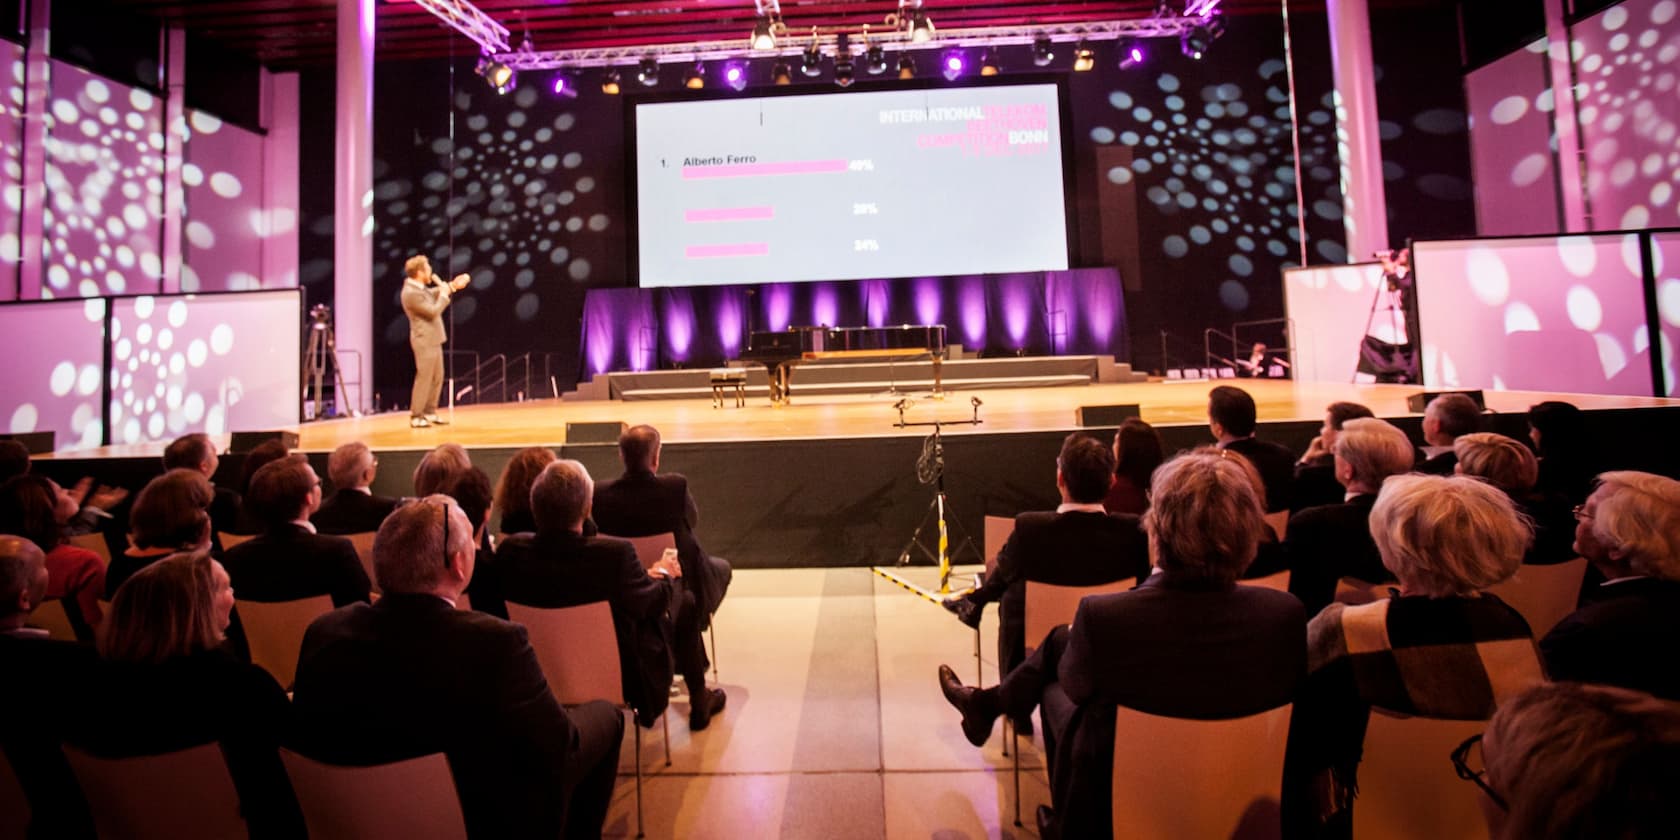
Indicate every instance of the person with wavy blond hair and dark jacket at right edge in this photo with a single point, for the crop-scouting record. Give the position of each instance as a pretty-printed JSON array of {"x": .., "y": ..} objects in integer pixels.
[{"x": 1630, "y": 530}]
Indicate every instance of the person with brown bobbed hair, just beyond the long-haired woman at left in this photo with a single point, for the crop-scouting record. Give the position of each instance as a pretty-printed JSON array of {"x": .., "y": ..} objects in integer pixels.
[{"x": 171, "y": 515}]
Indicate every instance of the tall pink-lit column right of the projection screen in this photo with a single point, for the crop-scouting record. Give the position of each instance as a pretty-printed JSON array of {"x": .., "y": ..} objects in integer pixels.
[{"x": 1365, "y": 207}]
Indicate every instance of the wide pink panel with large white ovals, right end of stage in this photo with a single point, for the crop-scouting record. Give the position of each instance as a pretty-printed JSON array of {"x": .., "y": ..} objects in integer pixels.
[{"x": 1535, "y": 315}]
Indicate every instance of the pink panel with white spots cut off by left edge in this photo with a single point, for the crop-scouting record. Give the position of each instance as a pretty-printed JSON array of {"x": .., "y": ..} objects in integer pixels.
[{"x": 51, "y": 377}]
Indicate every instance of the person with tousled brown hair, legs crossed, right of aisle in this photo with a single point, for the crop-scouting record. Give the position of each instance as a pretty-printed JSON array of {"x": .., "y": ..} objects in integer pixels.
[{"x": 1189, "y": 643}]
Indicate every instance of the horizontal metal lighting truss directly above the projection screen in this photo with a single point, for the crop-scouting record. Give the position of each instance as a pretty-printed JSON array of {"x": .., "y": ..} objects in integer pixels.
[{"x": 1150, "y": 28}]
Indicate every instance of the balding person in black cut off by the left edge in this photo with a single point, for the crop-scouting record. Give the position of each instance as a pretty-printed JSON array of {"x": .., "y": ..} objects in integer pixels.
[{"x": 46, "y": 690}]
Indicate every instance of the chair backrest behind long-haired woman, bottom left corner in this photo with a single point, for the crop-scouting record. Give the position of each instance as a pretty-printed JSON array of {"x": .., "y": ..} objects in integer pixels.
[{"x": 187, "y": 794}]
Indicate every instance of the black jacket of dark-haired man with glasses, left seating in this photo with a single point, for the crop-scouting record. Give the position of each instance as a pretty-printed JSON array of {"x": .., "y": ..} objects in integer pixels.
[{"x": 288, "y": 562}]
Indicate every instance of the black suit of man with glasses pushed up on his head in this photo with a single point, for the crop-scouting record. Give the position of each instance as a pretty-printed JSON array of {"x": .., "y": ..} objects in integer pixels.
[{"x": 412, "y": 676}]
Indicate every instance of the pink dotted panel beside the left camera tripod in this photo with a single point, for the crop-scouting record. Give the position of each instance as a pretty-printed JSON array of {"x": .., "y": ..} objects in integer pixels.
[{"x": 204, "y": 364}]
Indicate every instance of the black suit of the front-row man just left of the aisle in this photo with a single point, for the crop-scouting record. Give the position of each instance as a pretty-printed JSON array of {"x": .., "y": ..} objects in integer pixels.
[{"x": 643, "y": 503}]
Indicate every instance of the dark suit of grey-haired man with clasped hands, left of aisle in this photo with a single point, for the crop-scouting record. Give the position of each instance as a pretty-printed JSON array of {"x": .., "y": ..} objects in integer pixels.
[{"x": 569, "y": 570}]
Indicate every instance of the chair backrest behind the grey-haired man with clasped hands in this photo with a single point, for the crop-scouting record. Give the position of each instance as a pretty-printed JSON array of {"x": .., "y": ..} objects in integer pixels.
[{"x": 577, "y": 649}]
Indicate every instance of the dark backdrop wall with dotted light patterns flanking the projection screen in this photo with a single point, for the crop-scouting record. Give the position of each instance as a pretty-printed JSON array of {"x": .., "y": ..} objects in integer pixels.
[{"x": 1184, "y": 179}]
